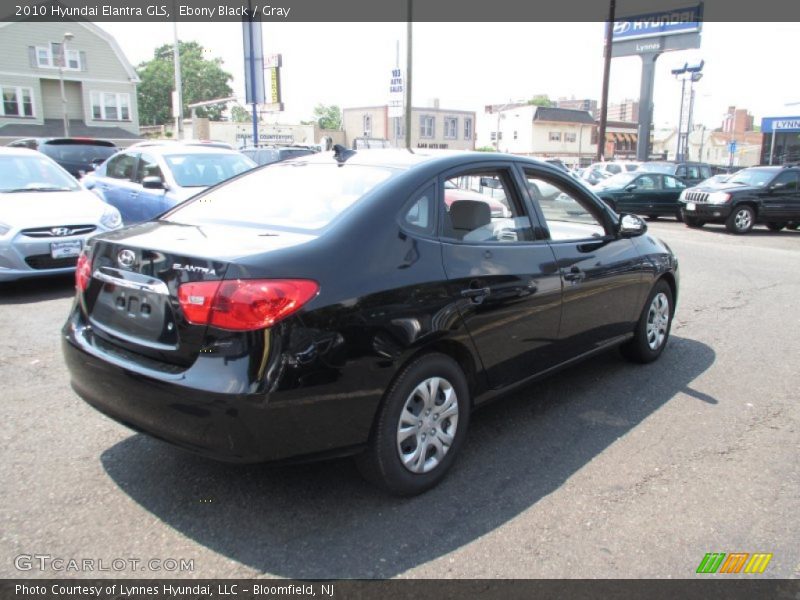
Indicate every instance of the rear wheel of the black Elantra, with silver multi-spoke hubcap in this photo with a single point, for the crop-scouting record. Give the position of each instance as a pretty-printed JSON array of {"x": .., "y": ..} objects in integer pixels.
[{"x": 412, "y": 444}]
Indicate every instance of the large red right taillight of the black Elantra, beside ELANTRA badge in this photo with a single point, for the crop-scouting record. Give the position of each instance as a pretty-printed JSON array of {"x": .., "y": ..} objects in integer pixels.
[{"x": 244, "y": 304}]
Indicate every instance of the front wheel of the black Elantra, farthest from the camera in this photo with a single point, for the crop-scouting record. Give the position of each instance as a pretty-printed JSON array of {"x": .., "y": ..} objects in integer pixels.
[{"x": 652, "y": 330}]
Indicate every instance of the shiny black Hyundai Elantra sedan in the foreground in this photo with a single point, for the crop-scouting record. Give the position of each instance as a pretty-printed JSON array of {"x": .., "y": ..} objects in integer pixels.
[{"x": 335, "y": 305}]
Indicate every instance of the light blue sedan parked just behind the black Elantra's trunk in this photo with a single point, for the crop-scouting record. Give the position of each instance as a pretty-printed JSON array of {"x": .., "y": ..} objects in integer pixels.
[{"x": 144, "y": 182}]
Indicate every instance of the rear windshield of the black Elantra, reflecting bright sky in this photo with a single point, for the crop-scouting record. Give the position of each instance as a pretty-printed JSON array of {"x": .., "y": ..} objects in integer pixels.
[{"x": 289, "y": 195}]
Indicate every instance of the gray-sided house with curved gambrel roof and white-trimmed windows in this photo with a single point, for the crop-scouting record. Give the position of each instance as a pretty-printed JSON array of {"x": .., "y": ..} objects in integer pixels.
[{"x": 99, "y": 82}]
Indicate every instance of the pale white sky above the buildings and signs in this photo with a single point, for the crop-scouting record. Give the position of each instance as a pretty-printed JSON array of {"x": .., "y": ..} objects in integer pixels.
[{"x": 470, "y": 65}]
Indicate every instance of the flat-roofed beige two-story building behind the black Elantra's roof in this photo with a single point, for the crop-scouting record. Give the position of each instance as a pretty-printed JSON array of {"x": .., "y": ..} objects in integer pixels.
[{"x": 432, "y": 127}]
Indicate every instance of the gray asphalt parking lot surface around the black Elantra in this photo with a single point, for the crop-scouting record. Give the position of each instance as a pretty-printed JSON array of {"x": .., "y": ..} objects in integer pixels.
[{"x": 605, "y": 470}]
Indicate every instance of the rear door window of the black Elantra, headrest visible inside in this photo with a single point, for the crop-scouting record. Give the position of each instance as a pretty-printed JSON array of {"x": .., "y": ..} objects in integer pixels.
[{"x": 481, "y": 208}]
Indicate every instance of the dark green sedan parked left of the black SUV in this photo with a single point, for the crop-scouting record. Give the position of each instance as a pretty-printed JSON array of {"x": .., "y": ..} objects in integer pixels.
[{"x": 650, "y": 194}]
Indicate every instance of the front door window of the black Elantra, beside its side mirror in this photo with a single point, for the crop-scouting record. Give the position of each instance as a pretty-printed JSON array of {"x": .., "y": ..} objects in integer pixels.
[{"x": 568, "y": 215}]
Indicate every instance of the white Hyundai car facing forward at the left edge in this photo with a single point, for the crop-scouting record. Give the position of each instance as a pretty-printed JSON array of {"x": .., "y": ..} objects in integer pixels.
[{"x": 45, "y": 216}]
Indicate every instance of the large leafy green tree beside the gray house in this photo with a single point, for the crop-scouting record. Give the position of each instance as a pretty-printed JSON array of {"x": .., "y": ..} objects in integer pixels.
[{"x": 201, "y": 79}]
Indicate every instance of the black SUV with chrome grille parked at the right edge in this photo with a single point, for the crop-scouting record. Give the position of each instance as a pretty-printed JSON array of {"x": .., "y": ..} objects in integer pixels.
[{"x": 768, "y": 195}]
